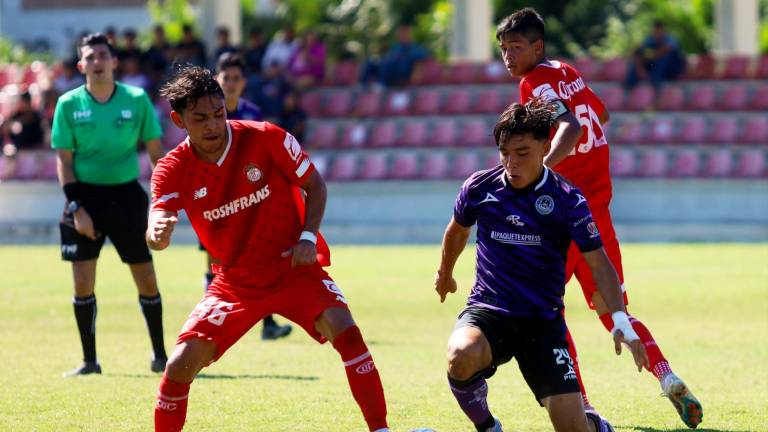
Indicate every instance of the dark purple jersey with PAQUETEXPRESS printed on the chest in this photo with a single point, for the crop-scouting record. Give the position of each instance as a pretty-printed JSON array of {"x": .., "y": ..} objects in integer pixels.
[{"x": 523, "y": 237}]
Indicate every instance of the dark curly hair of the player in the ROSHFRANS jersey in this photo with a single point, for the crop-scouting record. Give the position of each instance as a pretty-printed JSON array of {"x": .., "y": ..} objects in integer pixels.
[{"x": 188, "y": 85}]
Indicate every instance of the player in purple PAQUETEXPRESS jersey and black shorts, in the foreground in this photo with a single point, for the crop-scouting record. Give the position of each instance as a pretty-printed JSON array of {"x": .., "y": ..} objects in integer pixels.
[{"x": 526, "y": 216}]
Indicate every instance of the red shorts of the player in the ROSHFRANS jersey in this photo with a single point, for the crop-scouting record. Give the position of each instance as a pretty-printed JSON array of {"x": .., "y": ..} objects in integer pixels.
[{"x": 227, "y": 312}]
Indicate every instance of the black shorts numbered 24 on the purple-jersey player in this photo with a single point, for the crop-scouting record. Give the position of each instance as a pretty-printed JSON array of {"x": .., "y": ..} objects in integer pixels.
[{"x": 538, "y": 344}]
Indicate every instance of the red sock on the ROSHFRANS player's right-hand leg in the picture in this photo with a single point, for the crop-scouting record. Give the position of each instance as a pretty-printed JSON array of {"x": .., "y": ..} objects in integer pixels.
[{"x": 363, "y": 377}]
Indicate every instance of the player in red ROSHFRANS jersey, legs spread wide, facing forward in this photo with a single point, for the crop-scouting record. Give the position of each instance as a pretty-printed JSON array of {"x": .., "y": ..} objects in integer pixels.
[{"x": 241, "y": 185}]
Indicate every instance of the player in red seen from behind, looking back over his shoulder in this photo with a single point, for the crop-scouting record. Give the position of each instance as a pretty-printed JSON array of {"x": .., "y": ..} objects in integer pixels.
[{"x": 580, "y": 153}]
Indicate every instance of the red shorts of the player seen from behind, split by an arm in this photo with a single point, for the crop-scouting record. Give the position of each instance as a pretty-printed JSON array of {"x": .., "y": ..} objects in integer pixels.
[{"x": 576, "y": 265}]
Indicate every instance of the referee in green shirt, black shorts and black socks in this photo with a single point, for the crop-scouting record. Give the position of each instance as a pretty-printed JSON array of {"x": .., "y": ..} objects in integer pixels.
[{"x": 96, "y": 129}]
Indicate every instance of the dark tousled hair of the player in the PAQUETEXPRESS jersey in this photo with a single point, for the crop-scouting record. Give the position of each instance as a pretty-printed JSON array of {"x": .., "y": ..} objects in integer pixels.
[{"x": 535, "y": 117}]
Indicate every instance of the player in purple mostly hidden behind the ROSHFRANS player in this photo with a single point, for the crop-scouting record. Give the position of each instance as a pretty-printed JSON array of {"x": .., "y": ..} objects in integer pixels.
[{"x": 230, "y": 73}]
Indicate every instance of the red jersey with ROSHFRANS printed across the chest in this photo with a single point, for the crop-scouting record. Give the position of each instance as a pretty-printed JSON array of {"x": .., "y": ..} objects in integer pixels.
[{"x": 244, "y": 208}]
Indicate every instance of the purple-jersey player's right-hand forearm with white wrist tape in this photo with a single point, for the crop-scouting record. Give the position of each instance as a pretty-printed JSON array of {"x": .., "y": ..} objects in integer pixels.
[{"x": 608, "y": 285}]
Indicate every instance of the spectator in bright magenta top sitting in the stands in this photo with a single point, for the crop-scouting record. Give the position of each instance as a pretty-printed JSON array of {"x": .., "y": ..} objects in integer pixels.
[{"x": 306, "y": 66}]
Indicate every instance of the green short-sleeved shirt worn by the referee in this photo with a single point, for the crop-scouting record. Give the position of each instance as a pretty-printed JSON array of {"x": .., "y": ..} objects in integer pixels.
[{"x": 103, "y": 136}]
